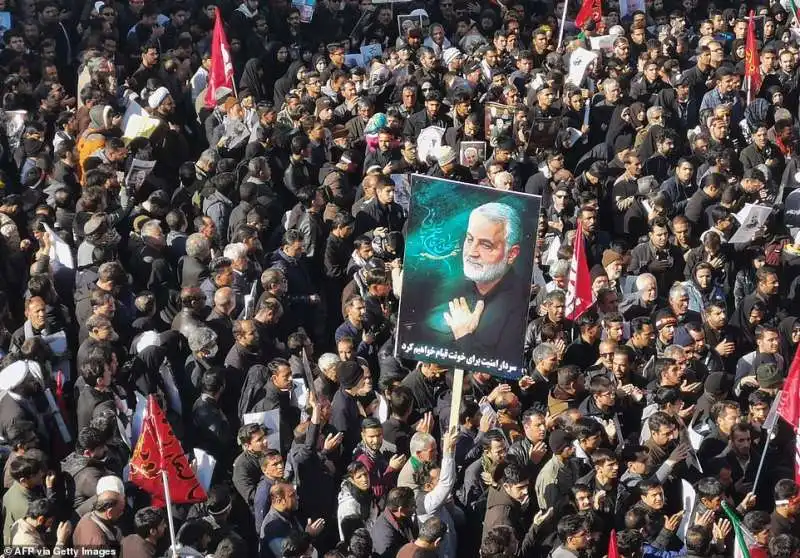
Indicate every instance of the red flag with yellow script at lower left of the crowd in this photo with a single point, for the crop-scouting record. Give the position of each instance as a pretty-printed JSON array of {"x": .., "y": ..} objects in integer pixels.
[{"x": 158, "y": 449}]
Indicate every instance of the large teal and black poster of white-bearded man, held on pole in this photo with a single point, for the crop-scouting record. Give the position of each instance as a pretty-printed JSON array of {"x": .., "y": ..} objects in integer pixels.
[{"x": 468, "y": 263}]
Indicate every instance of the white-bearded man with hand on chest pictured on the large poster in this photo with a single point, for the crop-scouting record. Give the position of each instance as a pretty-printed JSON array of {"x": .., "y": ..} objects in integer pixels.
[{"x": 494, "y": 295}]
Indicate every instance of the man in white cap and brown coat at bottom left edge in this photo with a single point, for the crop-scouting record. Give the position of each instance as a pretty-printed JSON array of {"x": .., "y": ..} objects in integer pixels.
[{"x": 98, "y": 529}]
